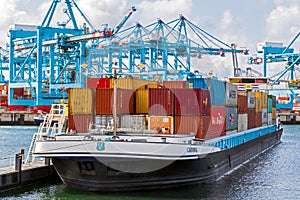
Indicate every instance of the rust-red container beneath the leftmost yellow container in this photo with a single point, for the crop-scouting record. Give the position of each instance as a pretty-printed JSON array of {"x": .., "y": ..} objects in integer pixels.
[{"x": 79, "y": 123}]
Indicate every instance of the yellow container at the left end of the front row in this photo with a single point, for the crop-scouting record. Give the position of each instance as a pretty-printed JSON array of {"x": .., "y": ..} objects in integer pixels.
[{"x": 81, "y": 100}]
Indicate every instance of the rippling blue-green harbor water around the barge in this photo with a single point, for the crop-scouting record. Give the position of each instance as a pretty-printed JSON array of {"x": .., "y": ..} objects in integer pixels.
[{"x": 271, "y": 175}]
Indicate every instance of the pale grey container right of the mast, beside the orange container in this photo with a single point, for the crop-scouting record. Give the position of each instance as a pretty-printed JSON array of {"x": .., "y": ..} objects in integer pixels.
[{"x": 136, "y": 122}]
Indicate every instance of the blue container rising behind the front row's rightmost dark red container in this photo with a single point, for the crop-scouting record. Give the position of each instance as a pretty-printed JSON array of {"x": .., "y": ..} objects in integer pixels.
[{"x": 216, "y": 89}]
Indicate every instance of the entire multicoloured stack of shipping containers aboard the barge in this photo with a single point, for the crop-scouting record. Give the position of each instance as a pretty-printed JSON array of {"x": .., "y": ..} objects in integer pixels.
[{"x": 205, "y": 107}]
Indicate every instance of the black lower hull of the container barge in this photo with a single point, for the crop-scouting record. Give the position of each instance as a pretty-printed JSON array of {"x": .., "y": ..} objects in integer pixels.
[{"x": 207, "y": 169}]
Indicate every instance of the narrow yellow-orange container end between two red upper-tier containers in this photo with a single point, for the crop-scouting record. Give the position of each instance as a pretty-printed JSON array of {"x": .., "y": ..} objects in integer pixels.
[{"x": 142, "y": 101}]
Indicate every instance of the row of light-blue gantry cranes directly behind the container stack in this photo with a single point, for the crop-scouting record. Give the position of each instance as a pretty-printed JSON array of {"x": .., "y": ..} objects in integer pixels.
[{"x": 156, "y": 51}]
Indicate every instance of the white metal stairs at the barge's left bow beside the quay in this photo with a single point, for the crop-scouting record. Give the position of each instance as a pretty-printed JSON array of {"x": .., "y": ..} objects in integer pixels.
[{"x": 58, "y": 111}]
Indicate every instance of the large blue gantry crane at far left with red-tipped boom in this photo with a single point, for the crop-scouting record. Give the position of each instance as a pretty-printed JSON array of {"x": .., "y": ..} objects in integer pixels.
[{"x": 46, "y": 60}]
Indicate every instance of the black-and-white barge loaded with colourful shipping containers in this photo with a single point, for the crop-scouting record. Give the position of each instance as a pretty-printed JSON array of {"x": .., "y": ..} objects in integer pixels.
[{"x": 201, "y": 149}]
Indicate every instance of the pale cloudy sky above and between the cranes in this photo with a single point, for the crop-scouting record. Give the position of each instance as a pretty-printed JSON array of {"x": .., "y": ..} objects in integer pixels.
[{"x": 243, "y": 22}]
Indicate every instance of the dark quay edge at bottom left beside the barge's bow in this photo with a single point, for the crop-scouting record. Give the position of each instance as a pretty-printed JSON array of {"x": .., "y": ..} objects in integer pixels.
[{"x": 23, "y": 175}]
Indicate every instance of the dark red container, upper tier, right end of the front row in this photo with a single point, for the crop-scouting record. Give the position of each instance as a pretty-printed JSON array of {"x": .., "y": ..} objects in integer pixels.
[{"x": 192, "y": 102}]
